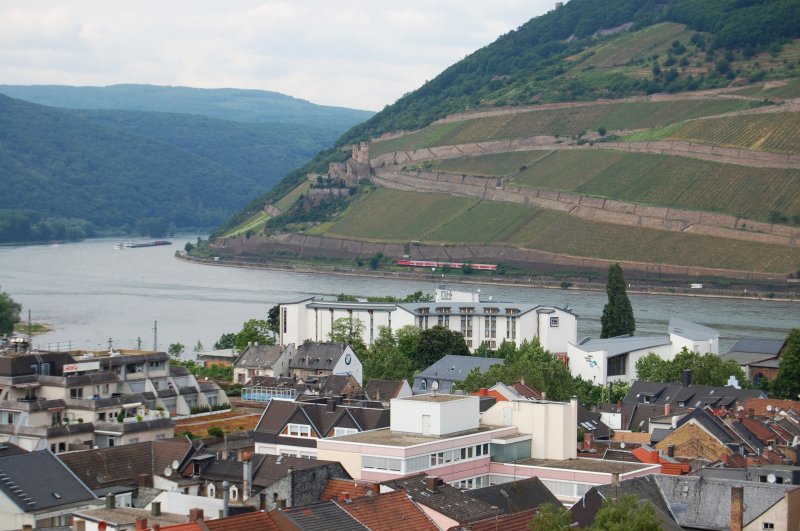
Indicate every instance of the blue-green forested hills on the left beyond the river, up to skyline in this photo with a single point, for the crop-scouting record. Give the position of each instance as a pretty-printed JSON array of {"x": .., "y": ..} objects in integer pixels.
[{"x": 68, "y": 174}]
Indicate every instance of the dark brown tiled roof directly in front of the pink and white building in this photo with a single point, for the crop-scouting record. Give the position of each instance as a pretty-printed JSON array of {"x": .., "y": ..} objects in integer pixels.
[{"x": 463, "y": 507}]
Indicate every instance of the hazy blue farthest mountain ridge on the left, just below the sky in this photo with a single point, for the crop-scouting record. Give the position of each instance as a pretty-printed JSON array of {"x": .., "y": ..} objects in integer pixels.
[{"x": 225, "y": 103}]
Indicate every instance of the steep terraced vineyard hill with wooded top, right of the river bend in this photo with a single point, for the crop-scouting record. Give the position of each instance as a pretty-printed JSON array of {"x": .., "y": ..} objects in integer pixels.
[{"x": 659, "y": 134}]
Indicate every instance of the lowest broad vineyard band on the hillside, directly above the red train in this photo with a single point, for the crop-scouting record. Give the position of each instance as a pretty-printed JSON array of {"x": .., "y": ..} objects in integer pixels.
[{"x": 459, "y": 220}]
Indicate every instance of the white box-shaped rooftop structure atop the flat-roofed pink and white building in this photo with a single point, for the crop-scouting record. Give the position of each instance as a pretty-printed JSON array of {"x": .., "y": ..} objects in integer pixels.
[{"x": 446, "y": 417}]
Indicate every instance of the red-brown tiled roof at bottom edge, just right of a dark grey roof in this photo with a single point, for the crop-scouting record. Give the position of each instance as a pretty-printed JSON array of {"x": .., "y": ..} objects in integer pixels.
[{"x": 393, "y": 511}]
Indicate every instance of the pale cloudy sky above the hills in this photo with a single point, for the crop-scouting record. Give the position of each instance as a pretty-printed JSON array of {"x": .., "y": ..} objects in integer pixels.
[{"x": 360, "y": 54}]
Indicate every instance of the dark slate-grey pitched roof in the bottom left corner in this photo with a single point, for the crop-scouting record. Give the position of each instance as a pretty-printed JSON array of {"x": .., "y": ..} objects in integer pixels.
[{"x": 38, "y": 480}]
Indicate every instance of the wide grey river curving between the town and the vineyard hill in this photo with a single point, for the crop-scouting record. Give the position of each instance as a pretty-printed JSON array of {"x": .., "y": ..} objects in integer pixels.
[{"x": 90, "y": 292}]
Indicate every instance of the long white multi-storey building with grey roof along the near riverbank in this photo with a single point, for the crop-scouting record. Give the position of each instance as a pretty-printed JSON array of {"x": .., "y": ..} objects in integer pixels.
[{"x": 479, "y": 320}]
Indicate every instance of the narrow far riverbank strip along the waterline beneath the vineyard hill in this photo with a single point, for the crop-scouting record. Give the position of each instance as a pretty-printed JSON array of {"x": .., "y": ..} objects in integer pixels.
[{"x": 570, "y": 284}]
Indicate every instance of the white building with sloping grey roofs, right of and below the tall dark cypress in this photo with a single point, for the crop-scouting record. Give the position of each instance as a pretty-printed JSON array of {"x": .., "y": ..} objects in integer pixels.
[{"x": 602, "y": 361}]
